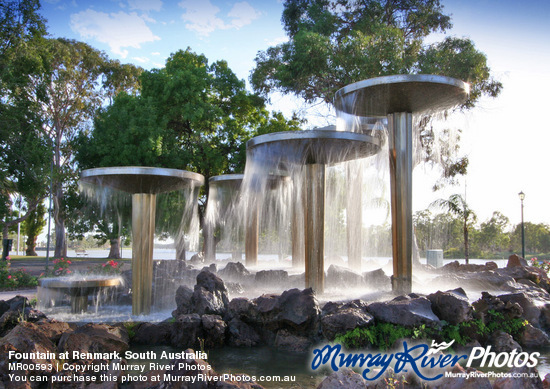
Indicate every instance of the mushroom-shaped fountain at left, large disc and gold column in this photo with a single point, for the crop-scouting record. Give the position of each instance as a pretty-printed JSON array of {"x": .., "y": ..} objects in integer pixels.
[{"x": 144, "y": 183}]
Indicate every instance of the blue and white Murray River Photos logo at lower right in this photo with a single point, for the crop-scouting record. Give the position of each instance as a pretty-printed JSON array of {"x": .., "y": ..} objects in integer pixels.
[{"x": 422, "y": 359}]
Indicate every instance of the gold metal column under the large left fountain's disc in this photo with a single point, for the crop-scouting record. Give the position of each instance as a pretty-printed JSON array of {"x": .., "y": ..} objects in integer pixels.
[{"x": 143, "y": 234}]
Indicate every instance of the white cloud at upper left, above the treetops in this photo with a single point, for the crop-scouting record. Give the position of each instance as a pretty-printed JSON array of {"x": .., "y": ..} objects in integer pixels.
[{"x": 118, "y": 30}]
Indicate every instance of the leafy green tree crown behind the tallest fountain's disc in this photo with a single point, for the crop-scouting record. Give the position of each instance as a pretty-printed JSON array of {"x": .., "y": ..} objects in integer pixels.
[{"x": 335, "y": 43}]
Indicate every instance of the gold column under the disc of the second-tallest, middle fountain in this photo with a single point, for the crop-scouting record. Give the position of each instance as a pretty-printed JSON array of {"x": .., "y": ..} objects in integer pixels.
[{"x": 315, "y": 226}]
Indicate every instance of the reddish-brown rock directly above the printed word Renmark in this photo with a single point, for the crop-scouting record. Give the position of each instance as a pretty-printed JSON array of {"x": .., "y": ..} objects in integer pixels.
[{"x": 95, "y": 338}]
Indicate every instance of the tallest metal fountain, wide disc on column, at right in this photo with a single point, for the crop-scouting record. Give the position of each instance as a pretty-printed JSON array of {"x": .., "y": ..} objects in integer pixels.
[{"x": 398, "y": 98}]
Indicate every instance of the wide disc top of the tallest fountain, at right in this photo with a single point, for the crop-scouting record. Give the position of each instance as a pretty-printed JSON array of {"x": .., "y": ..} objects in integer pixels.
[{"x": 413, "y": 93}]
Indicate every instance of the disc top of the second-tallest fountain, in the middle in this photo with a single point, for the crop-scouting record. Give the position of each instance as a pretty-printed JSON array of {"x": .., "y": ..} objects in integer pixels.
[{"x": 313, "y": 146}]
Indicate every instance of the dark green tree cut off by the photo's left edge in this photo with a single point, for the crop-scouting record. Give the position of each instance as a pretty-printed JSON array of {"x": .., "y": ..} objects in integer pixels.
[{"x": 23, "y": 154}]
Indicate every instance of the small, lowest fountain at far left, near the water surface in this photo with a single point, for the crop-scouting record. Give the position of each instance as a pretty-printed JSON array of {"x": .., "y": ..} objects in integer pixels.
[{"x": 77, "y": 287}]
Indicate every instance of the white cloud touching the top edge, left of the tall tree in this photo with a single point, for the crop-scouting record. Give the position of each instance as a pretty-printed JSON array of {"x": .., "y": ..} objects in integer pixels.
[{"x": 201, "y": 16}]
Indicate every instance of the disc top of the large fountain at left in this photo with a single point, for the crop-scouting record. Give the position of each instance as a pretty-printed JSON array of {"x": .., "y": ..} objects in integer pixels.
[{"x": 139, "y": 179}]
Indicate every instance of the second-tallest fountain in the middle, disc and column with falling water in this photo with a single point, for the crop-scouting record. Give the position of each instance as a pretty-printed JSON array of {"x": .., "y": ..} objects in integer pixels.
[{"x": 304, "y": 156}]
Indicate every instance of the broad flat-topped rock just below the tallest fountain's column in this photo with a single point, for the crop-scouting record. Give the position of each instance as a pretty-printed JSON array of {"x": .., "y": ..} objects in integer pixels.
[{"x": 405, "y": 310}]
